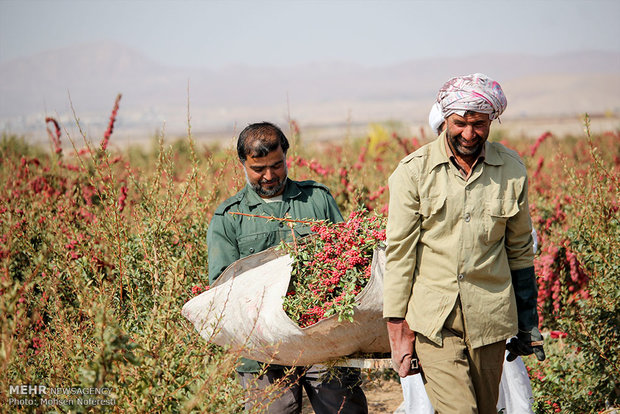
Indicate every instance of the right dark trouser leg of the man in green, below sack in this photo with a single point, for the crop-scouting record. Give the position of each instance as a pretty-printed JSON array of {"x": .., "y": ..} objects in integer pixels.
[{"x": 337, "y": 390}]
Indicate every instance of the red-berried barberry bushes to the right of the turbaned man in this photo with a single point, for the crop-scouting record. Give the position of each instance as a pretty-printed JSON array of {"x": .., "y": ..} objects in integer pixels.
[{"x": 577, "y": 214}]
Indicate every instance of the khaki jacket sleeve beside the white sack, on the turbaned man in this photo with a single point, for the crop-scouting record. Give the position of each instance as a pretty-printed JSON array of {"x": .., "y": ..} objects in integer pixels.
[{"x": 403, "y": 233}]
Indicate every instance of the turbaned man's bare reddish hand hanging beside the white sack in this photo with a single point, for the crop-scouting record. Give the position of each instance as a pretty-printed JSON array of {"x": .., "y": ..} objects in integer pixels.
[{"x": 402, "y": 340}]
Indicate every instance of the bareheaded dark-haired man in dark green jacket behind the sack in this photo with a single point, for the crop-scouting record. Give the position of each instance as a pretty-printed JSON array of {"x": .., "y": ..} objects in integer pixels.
[{"x": 269, "y": 192}]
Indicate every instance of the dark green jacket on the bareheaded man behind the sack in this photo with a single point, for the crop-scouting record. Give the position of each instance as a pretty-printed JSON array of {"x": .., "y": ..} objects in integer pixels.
[{"x": 231, "y": 237}]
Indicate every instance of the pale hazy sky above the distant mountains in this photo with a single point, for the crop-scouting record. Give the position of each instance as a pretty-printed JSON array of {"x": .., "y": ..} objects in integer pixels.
[{"x": 218, "y": 33}]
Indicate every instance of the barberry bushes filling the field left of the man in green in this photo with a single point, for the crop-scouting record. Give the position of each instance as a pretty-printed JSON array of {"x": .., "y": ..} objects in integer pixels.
[{"x": 97, "y": 256}]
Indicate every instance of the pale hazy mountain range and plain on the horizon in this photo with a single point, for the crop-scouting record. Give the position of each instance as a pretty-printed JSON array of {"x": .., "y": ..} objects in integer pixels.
[{"x": 317, "y": 94}]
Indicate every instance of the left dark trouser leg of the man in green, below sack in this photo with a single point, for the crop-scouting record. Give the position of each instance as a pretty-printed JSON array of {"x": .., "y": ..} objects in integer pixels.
[{"x": 277, "y": 391}]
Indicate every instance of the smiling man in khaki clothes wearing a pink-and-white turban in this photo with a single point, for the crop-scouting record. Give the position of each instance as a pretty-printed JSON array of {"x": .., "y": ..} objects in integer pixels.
[{"x": 459, "y": 275}]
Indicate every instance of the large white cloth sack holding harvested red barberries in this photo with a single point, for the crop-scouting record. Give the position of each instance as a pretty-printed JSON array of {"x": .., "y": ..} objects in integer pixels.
[{"x": 243, "y": 308}]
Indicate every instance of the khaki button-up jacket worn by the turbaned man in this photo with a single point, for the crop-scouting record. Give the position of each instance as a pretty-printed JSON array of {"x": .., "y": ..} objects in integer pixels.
[{"x": 448, "y": 237}]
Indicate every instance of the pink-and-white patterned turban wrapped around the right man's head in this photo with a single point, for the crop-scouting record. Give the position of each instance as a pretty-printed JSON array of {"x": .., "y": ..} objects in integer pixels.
[{"x": 476, "y": 92}]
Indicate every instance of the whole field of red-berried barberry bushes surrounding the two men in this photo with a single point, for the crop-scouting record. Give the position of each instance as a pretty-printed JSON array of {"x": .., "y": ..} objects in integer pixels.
[{"x": 100, "y": 248}]
